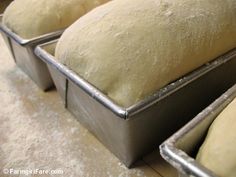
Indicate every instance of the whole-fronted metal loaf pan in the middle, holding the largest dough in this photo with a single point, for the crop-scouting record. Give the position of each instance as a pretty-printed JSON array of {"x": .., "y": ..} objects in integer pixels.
[{"x": 132, "y": 132}]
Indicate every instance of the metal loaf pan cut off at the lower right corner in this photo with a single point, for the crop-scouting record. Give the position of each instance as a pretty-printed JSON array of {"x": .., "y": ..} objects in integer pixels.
[{"x": 181, "y": 148}]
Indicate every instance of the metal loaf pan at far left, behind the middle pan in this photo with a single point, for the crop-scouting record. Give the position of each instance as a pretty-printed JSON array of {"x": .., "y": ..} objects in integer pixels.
[{"x": 22, "y": 51}]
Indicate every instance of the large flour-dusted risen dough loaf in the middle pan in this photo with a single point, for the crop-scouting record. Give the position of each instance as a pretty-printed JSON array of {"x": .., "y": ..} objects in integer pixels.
[{"x": 131, "y": 48}]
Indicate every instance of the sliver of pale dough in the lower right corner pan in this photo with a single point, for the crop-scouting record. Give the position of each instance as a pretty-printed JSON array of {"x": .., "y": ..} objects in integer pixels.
[{"x": 218, "y": 151}]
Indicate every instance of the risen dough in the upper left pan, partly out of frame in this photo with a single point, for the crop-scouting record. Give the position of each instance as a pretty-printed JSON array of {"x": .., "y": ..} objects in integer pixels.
[{"x": 32, "y": 18}]
